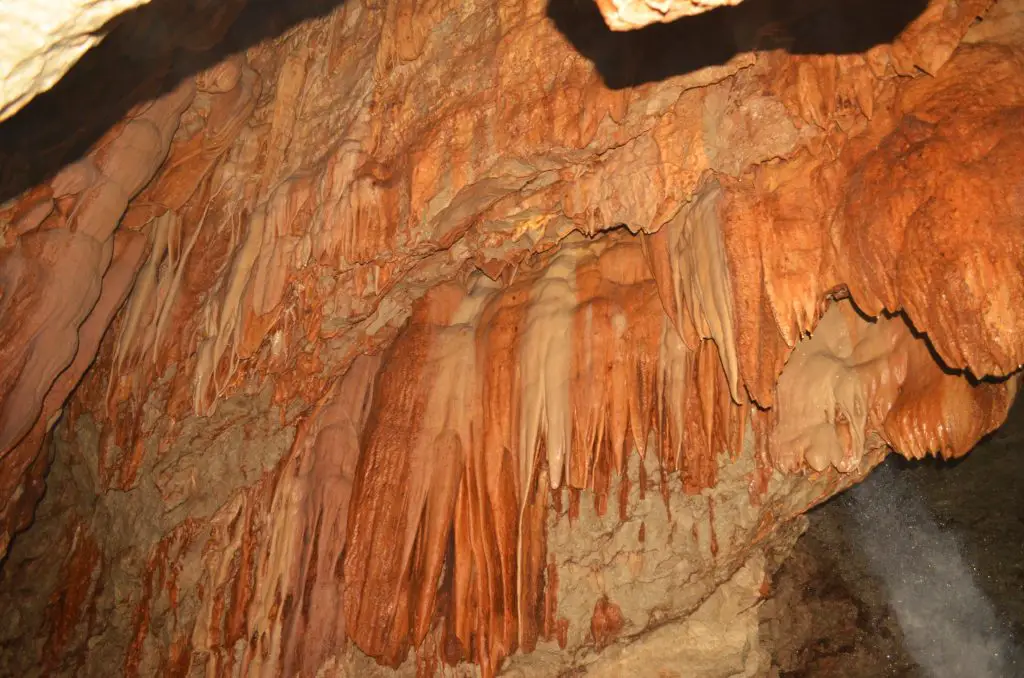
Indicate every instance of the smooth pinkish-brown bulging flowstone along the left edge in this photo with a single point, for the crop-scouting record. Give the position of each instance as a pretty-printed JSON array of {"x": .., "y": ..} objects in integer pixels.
[{"x": 54, "y": 322}]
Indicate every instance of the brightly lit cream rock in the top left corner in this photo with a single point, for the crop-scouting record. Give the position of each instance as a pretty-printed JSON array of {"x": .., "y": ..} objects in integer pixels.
[{"x": 40, "y": 40}]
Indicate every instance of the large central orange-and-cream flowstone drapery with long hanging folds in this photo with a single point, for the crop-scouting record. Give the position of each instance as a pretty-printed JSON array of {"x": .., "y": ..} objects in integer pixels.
[{"x": 582, "y": 346}]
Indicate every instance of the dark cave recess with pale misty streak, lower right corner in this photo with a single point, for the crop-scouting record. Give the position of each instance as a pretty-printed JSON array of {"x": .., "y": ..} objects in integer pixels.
[{"x": 917, "y": 573}]
